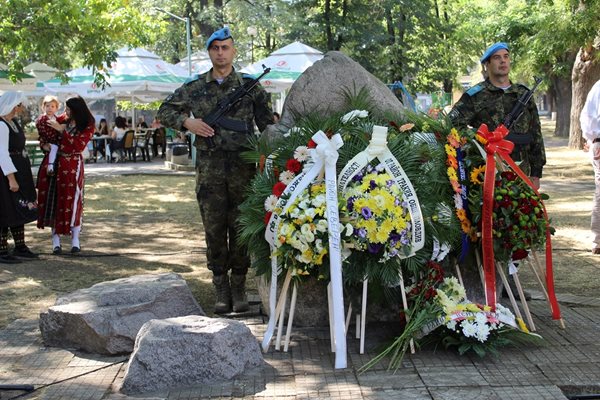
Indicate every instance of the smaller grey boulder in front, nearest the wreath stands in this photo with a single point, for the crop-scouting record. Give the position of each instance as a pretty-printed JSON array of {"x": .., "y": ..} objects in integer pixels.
[{"x": 189, "y": 351}]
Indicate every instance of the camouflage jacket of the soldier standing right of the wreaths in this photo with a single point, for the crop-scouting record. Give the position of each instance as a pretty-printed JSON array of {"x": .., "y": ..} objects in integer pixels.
[{"x": 485, "y": 103}]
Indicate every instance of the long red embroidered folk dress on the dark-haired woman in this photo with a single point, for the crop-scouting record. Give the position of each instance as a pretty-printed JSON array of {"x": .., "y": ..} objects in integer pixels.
[{"x": 66, "y": 204}]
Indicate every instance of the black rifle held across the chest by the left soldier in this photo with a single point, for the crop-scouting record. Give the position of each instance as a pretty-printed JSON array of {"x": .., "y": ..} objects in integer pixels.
[{"x": 216, "y": 116}]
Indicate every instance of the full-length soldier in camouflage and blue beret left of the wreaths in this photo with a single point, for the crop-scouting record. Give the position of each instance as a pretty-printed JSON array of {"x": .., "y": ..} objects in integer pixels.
[{"x": 221, "y": 176}]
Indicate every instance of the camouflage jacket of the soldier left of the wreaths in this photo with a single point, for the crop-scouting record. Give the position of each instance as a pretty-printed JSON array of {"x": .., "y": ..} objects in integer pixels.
[{"x": 202, "y": 94}]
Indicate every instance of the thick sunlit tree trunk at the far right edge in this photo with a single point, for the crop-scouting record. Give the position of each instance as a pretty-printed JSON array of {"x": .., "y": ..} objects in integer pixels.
[{"x": 586, "y": 71}]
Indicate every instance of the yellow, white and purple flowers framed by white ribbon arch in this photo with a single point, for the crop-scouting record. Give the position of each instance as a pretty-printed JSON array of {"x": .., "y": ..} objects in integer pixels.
[{"x": 378, "y": 215}]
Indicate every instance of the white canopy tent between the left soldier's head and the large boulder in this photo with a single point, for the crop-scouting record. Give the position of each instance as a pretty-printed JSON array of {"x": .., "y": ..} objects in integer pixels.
[{"x": 287, "y": 64}]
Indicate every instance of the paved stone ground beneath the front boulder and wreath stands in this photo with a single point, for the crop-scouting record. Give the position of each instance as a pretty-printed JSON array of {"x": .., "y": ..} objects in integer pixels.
[{"x": 570, "y": 361}]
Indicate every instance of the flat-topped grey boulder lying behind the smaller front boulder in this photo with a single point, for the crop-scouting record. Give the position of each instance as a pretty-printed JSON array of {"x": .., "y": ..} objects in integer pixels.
[{"x": 106, "y": 317}]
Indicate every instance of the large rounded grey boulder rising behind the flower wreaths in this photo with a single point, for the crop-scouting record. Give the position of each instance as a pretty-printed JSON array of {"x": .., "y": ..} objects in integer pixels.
[{"x": 321, "y": 89}]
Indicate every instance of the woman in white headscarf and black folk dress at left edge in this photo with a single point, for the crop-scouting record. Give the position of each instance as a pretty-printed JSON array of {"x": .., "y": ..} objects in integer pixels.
[{"x": 17, "y": 191}]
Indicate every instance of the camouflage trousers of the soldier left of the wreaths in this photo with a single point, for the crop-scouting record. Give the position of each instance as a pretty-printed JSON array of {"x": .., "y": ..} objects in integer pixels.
[{"x": 221, "y": 180}]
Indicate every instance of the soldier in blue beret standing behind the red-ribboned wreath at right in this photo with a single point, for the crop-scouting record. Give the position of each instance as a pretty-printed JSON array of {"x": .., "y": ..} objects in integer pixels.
[{"x": 490, "y": 101}]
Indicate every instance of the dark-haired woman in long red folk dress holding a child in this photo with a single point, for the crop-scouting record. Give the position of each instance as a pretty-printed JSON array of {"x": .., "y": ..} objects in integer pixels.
[{"x": 62, "y": 206}]
